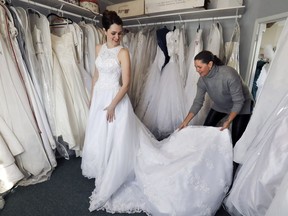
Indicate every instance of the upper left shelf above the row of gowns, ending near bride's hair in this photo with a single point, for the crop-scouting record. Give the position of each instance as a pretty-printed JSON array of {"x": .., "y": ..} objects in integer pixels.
[{"x": 57, "y": 6}]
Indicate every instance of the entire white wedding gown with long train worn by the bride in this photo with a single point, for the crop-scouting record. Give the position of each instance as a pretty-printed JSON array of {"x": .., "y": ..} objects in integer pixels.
[{"x": 187, "y": 173}]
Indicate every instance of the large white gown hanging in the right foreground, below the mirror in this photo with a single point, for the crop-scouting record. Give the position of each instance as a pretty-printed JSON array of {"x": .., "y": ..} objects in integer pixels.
[{"x": 262, "y": 150}]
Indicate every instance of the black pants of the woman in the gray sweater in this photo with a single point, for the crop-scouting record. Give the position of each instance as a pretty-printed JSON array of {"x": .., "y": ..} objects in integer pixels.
[{"x": 239, "y": 124}]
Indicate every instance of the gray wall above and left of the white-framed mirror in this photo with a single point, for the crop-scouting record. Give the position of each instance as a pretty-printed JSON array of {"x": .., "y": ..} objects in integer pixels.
[{"x": 255, "y": 9}]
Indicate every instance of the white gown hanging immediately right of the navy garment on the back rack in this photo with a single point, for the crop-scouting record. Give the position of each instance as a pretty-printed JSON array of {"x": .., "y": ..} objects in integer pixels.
[{"x": 170, "y": 98}]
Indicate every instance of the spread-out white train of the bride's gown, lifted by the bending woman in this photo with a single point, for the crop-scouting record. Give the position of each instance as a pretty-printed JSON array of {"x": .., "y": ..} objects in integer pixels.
[{"x": 185, "y": 174}]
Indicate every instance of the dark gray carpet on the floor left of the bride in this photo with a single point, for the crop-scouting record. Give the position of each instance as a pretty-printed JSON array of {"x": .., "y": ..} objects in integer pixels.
[{"x": 65, "y": 194}]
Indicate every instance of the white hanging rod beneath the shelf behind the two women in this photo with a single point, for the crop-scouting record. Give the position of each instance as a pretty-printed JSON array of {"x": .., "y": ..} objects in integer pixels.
[{"x": 183, "y": 21}]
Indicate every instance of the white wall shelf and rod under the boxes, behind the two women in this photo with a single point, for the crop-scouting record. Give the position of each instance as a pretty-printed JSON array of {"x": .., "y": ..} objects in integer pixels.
[{"x": 185, "y": 16}]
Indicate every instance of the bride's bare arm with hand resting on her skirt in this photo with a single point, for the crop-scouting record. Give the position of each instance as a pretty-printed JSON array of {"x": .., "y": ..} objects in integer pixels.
[{"x": 124, "y": 60}]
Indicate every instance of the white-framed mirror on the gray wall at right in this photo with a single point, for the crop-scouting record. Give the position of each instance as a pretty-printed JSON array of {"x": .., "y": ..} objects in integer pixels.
[{"x": 266, "y": 34}]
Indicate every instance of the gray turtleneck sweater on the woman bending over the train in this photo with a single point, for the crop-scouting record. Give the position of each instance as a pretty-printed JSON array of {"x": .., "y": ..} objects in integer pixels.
[{"x": 226, "y": 89}]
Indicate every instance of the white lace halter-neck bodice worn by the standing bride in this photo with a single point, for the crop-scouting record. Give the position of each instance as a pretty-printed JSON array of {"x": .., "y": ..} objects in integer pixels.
[{"x": 108, "y": 67}]
